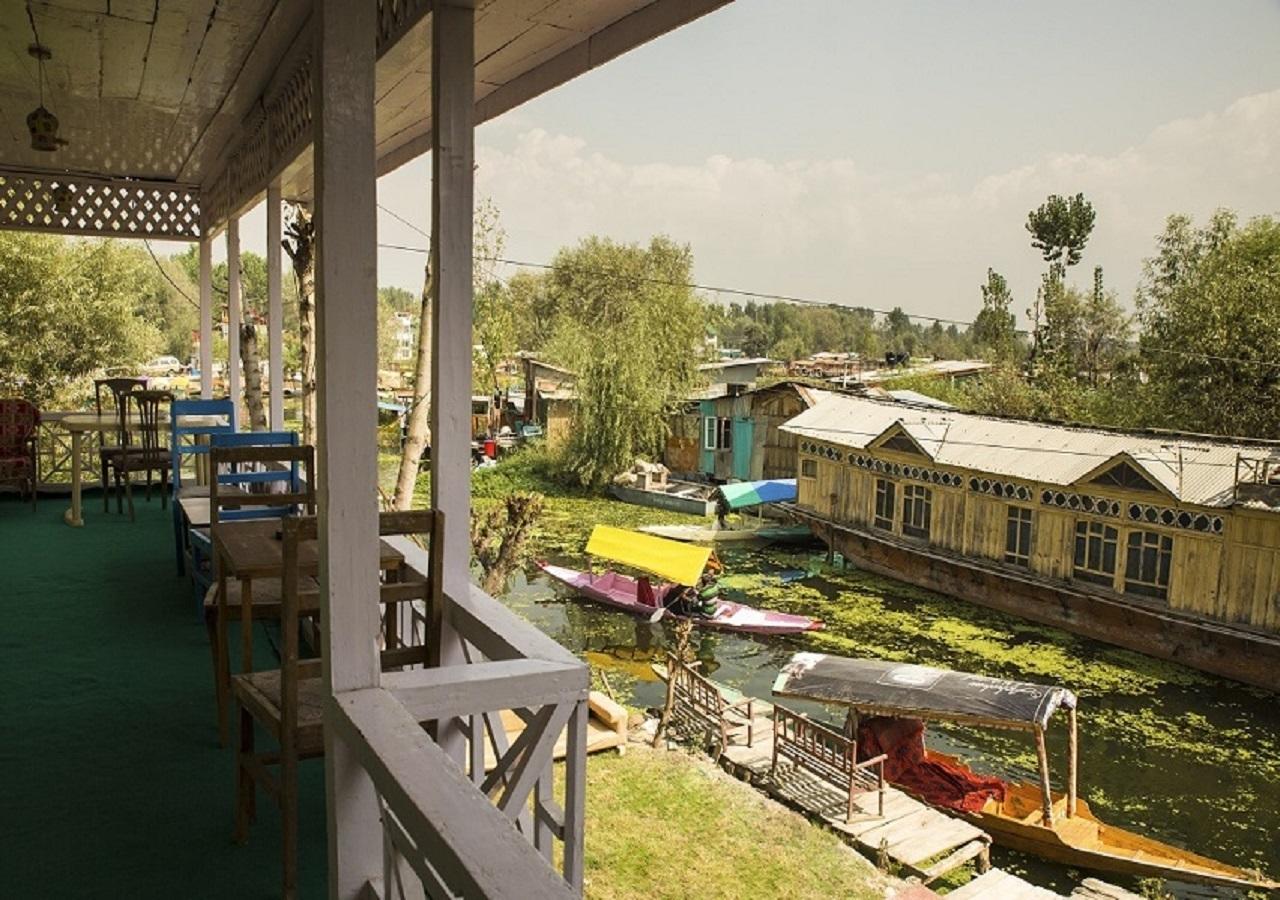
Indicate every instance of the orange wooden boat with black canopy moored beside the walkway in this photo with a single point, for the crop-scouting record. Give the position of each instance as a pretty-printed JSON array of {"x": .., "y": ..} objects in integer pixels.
[{"x": 1030, "y": 819}]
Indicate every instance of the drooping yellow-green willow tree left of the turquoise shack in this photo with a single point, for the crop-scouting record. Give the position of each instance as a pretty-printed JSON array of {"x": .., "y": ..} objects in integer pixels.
[{"x": 632, "y": 327}]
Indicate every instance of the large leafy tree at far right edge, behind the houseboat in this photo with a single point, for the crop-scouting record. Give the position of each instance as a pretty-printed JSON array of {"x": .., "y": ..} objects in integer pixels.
[{"x": 1210, "y": 312}]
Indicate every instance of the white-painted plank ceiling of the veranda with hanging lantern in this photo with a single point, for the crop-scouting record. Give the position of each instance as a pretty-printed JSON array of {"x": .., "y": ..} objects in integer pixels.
[{"x": 179, "y": 92}]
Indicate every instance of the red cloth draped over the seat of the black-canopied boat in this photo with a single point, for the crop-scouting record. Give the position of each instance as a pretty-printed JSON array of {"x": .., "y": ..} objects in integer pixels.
[{"x": 912, "y": 767}]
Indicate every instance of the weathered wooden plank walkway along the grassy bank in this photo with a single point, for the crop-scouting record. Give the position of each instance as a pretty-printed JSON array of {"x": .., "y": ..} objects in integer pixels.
[{"x": 922, "y": 840}]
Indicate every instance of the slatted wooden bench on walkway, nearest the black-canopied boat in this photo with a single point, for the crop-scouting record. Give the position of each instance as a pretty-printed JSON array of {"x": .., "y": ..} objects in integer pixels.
[{"x": 828, "y": 755}]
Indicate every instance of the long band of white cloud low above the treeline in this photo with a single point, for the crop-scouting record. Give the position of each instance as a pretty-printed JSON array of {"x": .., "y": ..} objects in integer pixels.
[{"x": 829, "y": 230}]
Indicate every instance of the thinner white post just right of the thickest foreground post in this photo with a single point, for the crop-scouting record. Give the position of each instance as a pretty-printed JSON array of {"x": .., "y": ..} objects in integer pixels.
[{"x": 452, "y": 189}]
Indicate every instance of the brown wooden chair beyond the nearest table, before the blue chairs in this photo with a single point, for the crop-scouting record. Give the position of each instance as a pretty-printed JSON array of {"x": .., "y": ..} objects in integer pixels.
[{"x": 239, "y": 464}]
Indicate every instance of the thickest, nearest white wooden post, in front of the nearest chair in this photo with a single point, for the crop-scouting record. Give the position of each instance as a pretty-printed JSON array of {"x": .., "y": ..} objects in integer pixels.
[{"x": 348, "y": 410}]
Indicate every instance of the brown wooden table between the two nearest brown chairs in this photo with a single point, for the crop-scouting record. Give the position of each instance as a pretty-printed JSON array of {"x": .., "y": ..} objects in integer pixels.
[{"x": 248, "y": 550}]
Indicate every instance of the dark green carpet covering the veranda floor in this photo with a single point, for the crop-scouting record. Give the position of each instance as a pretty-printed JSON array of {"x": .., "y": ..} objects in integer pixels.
[{"x": 112, "y": 780}]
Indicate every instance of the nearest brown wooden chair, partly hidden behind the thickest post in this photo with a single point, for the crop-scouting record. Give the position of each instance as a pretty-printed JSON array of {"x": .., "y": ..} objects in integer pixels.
[{"x": 289, "y": 703}]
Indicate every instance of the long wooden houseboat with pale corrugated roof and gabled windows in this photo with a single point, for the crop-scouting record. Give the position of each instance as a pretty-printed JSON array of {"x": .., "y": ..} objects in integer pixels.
[{"x": 1164, "y": 543}]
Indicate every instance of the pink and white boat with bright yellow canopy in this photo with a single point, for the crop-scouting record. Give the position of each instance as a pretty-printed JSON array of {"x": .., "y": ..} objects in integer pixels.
[{"x": 680, "y": 565}]
